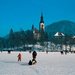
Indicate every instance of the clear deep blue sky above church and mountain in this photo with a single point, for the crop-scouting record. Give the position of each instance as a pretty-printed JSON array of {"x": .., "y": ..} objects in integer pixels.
[{"x": 21, "y": 14}]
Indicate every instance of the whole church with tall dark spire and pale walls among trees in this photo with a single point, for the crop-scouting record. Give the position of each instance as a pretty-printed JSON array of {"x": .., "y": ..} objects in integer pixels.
[{"x": 39, "y": 32}]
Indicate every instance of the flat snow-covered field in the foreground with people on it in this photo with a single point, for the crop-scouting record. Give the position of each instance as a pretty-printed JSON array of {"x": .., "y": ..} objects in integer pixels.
[{"x": 47, "y": 64}]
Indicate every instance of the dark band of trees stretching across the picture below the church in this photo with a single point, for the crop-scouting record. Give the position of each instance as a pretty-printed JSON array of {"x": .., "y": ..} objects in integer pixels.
[{"x": 22, "y": 38}]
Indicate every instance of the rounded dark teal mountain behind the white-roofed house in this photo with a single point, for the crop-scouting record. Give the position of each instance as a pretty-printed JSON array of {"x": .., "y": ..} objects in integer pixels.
[{"x": 64, "y": 26}]
